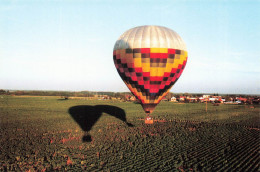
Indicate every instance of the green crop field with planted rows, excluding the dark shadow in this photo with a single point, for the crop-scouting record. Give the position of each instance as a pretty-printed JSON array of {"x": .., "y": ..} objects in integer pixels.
[{"x": 42, "y": 134}]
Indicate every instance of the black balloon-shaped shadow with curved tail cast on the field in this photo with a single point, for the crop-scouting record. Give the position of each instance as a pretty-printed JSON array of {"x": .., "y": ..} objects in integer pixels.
[{"x": 86, "y": 116}]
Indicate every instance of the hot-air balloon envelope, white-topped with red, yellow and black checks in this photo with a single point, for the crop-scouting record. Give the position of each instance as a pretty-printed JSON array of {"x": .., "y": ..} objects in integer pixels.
[{"x": 150, "y": 59}]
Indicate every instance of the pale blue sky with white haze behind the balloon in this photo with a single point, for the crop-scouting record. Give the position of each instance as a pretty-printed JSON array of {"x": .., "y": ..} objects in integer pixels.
[{"x": 68, "y": 45}]
